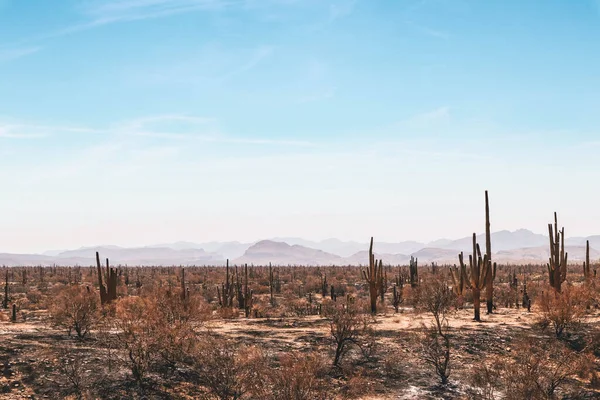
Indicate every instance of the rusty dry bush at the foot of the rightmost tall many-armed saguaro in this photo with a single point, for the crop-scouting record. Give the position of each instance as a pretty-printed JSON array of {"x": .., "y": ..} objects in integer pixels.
[{"x": 563, "y": 311}]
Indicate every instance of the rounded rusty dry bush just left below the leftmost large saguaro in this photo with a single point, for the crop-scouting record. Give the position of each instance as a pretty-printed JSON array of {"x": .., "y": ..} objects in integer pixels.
[{"x": 76, "y": 308}]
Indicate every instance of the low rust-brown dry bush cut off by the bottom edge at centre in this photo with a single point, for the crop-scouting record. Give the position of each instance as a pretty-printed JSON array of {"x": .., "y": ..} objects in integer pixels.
[{"x": 299, "y": 376}]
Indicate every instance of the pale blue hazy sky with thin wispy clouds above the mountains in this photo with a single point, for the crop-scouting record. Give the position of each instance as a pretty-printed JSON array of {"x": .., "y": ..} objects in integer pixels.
[{"x": 135, "y": 122}]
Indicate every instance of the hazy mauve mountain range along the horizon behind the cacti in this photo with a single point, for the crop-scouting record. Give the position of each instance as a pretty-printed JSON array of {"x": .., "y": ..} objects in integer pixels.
[{"x": 520, "y": 246}]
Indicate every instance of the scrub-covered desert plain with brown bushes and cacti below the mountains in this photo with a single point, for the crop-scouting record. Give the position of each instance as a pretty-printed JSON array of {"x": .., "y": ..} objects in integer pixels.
[{"x": 296, "y": 332}]
